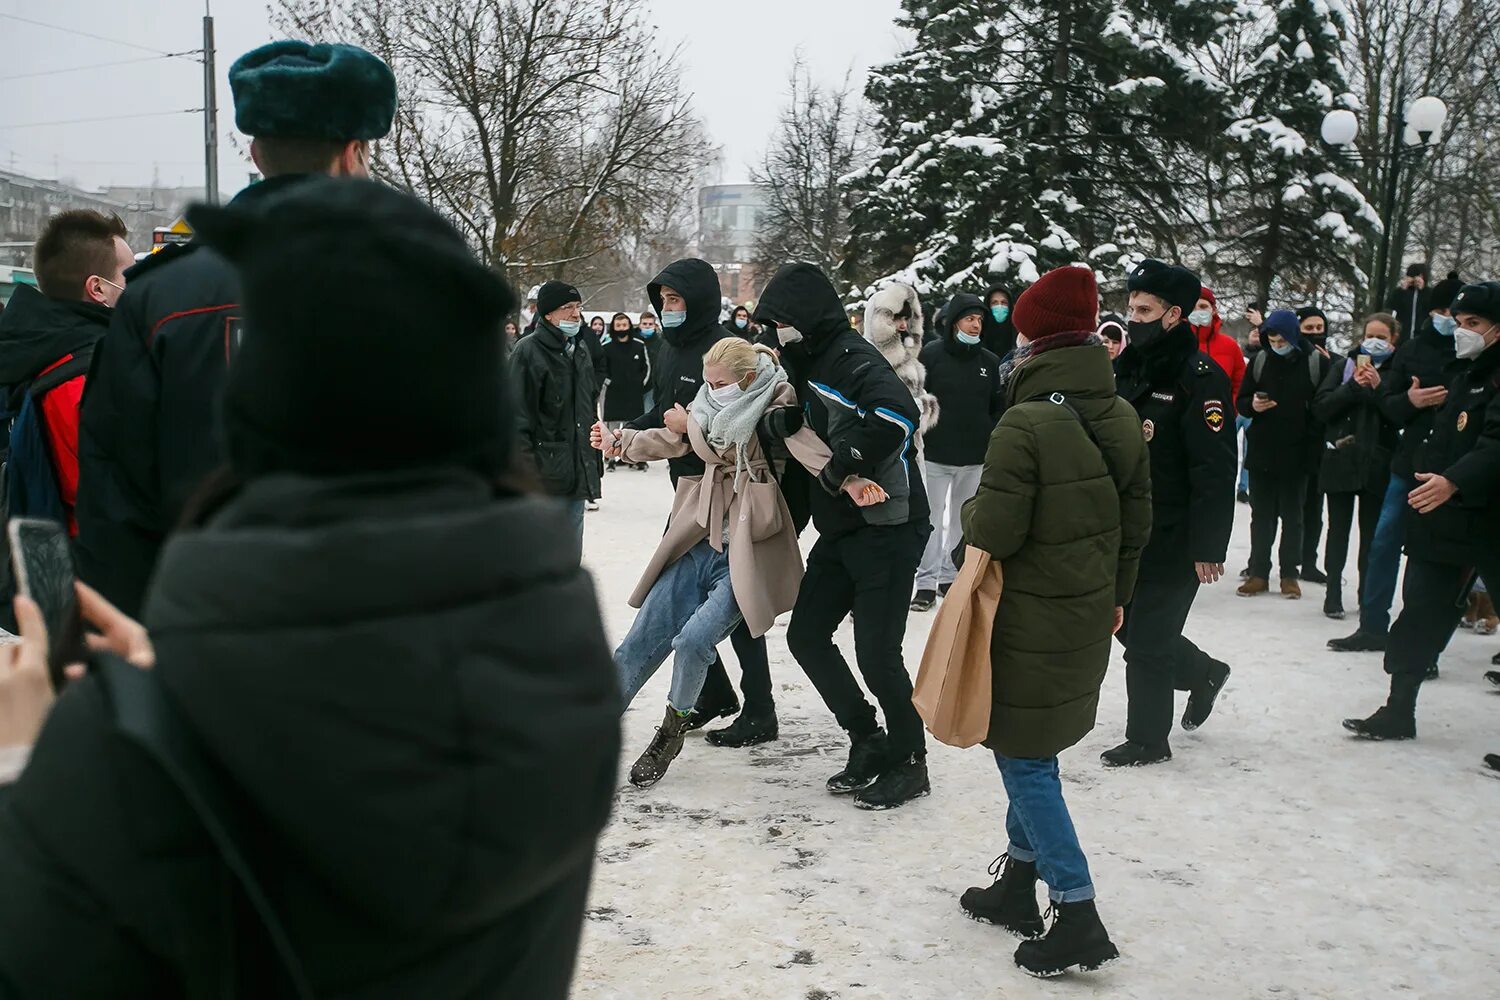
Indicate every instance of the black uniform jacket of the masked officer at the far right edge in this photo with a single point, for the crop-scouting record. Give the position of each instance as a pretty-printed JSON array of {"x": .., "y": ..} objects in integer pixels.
[{"x": 1465, "y": 449}]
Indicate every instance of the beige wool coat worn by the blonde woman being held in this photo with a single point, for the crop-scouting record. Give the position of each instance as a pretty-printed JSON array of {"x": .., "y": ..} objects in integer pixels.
[{"x": 766, "y": 564}]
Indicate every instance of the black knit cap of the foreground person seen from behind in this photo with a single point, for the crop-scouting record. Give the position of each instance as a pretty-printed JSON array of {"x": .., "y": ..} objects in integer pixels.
[{"x": 373, "y": 340}]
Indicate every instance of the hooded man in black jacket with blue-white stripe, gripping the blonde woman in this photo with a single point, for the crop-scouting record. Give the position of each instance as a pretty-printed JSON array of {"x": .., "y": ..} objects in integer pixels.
[{"x": 865, "y": 560}]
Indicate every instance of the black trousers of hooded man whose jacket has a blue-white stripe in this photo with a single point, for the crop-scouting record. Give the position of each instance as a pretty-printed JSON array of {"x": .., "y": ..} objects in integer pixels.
[{"x": 868, "y": 572}]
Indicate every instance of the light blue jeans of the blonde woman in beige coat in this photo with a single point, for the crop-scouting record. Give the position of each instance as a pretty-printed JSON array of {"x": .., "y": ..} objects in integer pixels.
[{"x": 689, "y": 611}]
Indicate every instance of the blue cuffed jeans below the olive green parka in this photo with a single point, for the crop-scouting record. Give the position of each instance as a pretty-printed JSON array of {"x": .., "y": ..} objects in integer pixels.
[{"x": 1042, "y": 830}]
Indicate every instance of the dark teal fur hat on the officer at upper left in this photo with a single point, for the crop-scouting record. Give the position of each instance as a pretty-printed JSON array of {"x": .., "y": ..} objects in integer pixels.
[{"x": 298, "y": 91}]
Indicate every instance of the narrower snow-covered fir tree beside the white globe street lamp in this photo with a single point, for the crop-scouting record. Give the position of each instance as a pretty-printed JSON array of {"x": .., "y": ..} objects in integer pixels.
[{"x": 1291, "y": 218}]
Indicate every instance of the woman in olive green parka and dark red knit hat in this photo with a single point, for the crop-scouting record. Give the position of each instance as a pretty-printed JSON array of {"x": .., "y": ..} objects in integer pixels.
[{"x": 1064, "y": 507}]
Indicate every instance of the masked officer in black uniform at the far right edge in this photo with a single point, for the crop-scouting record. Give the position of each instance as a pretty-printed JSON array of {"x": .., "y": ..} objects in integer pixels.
[{"x": 1456, "y": 533}]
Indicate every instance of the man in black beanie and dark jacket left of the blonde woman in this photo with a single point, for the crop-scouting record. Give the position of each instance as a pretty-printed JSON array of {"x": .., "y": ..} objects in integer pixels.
[{"x": 557, "y": 391}]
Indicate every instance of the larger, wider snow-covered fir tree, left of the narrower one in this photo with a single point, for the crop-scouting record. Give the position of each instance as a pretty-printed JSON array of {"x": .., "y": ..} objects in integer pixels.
[{"x": 1016, "y": 137}]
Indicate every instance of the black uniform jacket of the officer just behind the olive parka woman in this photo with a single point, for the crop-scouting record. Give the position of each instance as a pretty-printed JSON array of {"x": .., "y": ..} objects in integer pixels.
[{"x": 1183, "y": 398}]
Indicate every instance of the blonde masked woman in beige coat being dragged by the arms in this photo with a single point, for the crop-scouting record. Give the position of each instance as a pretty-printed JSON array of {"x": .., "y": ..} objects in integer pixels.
[{"x": 730, "y": 549}]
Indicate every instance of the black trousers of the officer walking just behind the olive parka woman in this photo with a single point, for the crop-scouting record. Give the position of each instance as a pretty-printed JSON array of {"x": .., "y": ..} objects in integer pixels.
[{"x": 1159, "y": 659}]
